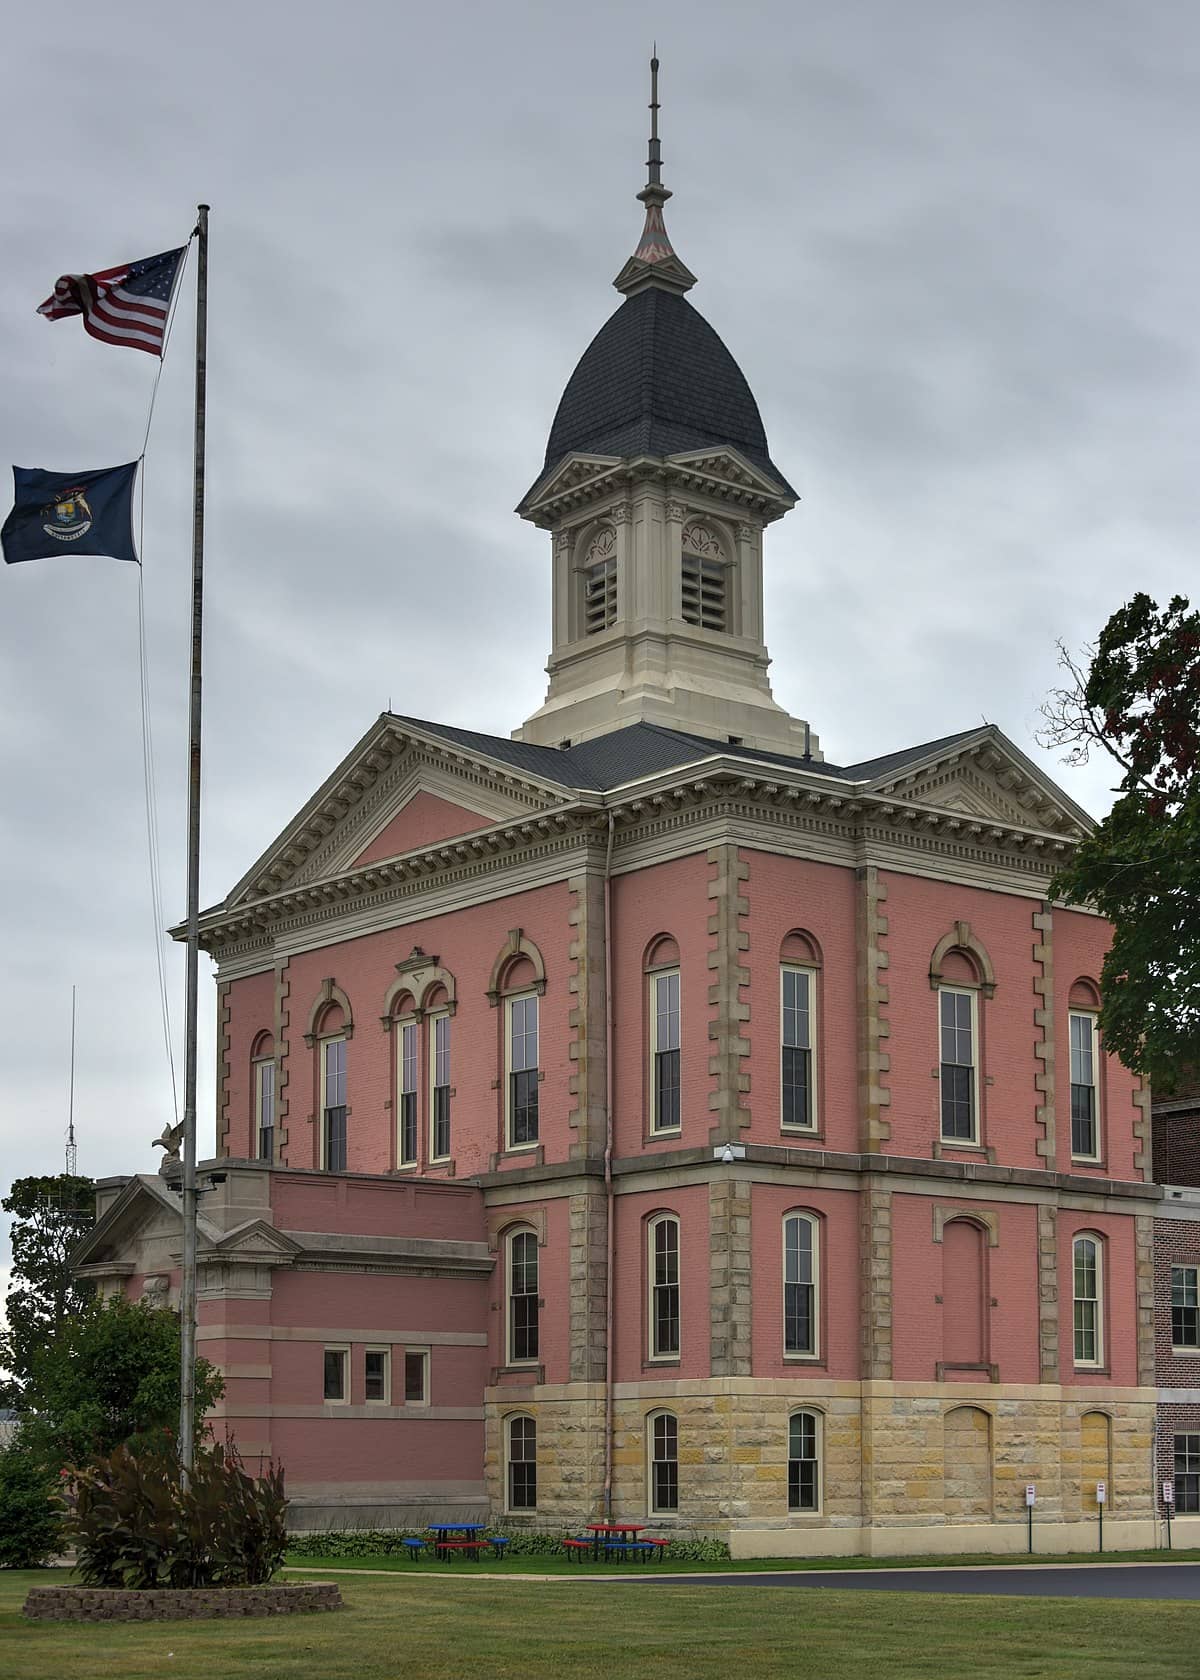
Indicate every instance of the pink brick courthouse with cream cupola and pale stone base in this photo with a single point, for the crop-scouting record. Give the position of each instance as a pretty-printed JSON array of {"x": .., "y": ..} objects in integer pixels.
[{"x": 645, "y": 1110}]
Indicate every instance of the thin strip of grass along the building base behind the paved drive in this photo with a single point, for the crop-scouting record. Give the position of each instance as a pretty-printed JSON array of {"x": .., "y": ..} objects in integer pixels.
[{"x": 555, "y": 1563}]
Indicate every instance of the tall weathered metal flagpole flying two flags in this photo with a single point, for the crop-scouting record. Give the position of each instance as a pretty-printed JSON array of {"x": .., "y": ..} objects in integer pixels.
[{"x": 191, "y": 1197}]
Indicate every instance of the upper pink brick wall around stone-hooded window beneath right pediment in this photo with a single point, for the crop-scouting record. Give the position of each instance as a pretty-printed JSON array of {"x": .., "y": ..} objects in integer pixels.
[{"x": 918, "y": 915}]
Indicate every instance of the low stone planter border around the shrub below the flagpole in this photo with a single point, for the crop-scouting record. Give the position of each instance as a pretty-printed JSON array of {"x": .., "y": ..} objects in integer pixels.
[{"x": 199, "y": 1604}]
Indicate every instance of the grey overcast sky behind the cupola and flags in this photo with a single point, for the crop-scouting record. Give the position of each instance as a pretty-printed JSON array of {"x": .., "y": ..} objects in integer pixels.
[{"x": 952, "y": 244}]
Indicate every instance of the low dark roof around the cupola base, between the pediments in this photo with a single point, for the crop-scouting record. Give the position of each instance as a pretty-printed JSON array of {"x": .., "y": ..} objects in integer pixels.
[{"x": 643, "y": 750}]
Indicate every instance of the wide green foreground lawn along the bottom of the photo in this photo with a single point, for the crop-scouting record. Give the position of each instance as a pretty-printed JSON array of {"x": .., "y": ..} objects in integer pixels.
[{"x": 510, "y": 1630}]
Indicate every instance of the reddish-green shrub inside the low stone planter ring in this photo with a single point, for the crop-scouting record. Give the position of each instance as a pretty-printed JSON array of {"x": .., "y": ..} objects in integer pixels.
[{"x": 134, "y": 1523}]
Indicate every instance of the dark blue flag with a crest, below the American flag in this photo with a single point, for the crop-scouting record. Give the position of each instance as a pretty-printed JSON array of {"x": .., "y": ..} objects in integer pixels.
[{"x": 71, "y": 513}]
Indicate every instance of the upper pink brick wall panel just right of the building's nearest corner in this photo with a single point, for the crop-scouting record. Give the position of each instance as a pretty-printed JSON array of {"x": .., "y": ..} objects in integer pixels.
[{"x": 789, "y": 895}]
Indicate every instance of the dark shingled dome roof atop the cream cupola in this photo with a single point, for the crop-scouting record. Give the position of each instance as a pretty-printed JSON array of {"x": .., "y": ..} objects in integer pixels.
[{"x": 656, "y": 381}]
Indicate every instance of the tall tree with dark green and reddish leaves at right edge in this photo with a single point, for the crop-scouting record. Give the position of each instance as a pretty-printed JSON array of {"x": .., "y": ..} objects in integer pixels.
[{"x": 1140, "y": 701}]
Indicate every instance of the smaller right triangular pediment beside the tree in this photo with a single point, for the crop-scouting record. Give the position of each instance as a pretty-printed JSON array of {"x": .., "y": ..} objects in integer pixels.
[{"x": 987, "y": 779}]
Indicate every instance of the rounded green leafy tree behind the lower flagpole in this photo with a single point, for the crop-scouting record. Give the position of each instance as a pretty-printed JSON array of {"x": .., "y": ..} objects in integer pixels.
[{"x": 108, "y": 1377}]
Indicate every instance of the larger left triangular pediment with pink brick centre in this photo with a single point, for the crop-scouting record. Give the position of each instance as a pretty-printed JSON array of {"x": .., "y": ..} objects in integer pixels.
[{"x": 359, "y": 814}]
